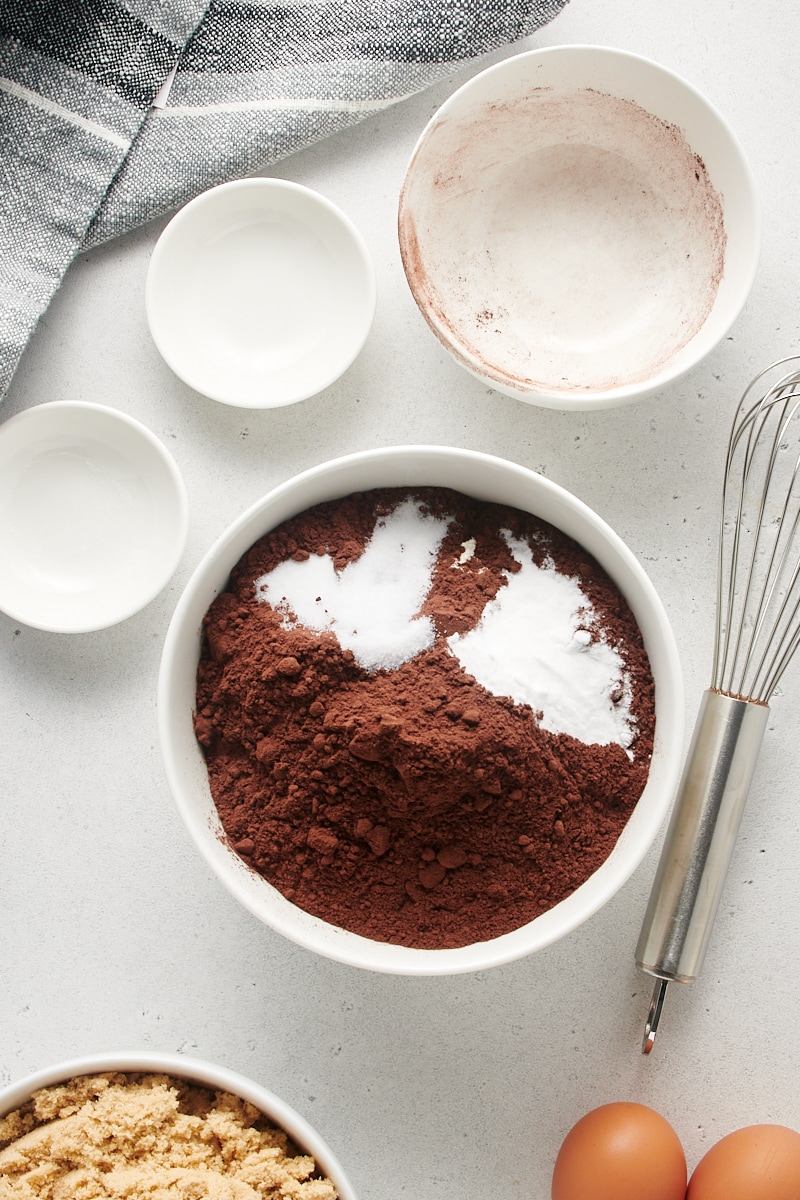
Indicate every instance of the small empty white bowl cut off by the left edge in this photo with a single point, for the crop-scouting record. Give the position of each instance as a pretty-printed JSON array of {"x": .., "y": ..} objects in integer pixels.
[{"x": 93, "y": 517}]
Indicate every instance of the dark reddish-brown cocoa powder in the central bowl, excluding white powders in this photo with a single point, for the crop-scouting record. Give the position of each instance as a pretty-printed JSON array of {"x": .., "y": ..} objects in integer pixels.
[{"x": 410, "y": 806}]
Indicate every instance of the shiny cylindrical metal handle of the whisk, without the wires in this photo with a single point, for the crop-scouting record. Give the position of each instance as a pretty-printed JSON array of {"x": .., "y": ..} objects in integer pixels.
[{"x": 701, "y": 838}]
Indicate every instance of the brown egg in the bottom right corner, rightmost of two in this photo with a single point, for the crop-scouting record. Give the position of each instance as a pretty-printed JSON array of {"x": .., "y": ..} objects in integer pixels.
[{"x": 756, "y": 1163}]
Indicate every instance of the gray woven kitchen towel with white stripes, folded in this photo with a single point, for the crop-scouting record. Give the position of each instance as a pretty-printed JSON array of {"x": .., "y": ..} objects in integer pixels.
[{"x": 85, "y": 157}]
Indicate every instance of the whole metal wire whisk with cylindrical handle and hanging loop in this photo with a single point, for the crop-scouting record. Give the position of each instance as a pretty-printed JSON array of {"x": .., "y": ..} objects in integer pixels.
[{"x": 757, "y": 633}]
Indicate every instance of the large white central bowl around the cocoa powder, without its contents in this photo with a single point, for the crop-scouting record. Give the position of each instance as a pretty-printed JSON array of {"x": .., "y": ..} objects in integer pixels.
[{"x": 489, "y": 479}]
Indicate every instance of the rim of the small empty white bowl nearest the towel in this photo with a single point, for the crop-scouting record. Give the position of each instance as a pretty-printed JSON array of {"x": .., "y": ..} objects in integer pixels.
[{"x": 266, "y": 184}]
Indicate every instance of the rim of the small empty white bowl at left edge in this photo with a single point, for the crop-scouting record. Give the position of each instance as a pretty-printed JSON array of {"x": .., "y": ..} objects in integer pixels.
[{"x": 181, "y": 515}]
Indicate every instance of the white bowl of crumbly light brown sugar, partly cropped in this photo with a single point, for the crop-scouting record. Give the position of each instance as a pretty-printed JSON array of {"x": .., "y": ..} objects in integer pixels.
[{"x": 148, "y": 1124}]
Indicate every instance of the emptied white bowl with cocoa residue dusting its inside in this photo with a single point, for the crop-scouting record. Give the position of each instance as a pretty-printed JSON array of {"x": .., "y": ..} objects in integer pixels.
[{"x": 579, "y": 227}]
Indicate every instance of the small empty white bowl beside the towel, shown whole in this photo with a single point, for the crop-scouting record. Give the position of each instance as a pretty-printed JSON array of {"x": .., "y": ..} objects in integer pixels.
[{"x": 261, "y": 293}]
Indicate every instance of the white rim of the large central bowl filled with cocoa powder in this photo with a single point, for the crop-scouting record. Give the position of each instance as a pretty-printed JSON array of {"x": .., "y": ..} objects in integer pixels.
[{"x": 351, "y": 949}]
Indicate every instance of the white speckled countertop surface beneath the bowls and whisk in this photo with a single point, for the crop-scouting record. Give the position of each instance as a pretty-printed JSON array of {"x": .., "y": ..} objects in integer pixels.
[{"x": 115, "y": 935}]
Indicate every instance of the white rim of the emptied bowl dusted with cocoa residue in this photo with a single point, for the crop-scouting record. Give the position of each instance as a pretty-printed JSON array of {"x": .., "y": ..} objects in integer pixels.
[{"x": 624, "y": 394}]
